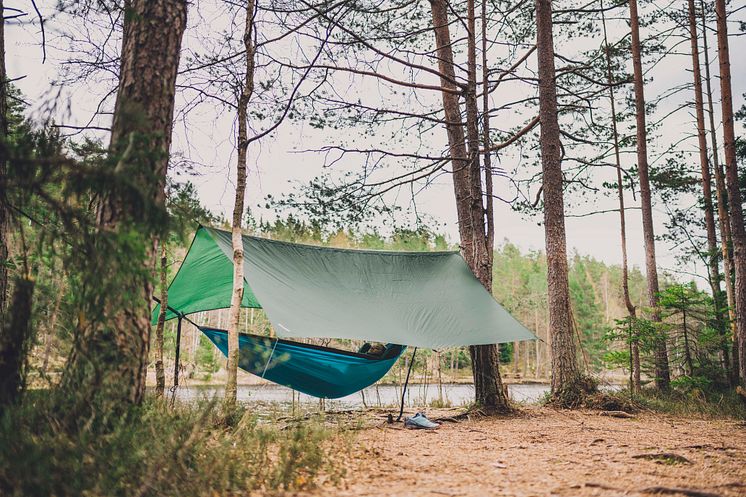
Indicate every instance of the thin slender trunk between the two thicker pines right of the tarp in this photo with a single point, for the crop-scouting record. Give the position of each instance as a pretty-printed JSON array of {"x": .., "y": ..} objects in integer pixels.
[{"x": 634, "y": 345}]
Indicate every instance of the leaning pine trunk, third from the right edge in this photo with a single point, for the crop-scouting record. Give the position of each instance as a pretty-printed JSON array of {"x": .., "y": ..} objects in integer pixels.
[{"x": 712, "y": 248}]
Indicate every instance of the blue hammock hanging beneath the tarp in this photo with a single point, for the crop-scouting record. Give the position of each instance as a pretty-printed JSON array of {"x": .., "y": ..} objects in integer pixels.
[{"x": 312, "y": 369}]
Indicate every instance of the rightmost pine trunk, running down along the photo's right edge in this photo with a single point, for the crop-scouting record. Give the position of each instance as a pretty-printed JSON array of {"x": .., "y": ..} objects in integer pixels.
[{"x": 737, "y": 228}]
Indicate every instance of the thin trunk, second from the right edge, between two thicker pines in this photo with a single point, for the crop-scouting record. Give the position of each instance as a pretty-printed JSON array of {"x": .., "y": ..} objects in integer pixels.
[{"x": 723, "y": 217}]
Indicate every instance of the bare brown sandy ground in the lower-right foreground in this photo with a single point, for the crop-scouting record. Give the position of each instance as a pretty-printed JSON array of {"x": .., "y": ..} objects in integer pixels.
[{"x": 545, "y": 452}]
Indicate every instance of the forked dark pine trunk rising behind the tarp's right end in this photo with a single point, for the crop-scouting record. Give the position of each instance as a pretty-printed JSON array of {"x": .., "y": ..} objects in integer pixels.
[{"x": 488, "y": 387}]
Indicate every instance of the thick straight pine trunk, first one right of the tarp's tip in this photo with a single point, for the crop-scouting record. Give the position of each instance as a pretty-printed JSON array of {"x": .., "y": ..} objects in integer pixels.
[{"x": 565, "y": 372}]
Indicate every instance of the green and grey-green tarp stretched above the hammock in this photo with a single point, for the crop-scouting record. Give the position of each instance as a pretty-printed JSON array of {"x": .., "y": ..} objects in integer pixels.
[{"x": 423, "y": 299}]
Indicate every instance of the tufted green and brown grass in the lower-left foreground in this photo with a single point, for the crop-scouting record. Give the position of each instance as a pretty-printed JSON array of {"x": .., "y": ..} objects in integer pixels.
[{"x": 190, "y": 450}]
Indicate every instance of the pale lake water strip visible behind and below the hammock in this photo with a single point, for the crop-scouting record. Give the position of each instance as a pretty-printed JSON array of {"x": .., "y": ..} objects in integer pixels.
[{"x": 454, "y": 394}]
